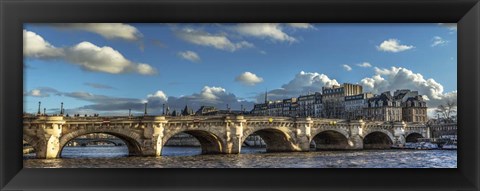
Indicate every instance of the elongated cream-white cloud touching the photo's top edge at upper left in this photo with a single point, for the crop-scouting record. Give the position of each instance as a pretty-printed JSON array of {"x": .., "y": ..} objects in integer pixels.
[{"x": 107, "y": 30}]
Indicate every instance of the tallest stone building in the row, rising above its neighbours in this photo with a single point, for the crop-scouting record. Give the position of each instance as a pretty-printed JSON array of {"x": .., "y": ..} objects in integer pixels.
[{"x": 333, "y": 99}]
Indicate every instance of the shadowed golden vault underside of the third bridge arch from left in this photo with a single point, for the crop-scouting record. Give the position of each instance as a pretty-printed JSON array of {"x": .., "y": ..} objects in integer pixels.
[{"x": 277, "y": 139}]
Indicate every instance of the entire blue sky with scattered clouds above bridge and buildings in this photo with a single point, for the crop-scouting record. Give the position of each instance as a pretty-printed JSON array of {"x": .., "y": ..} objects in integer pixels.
[{"x": 108, "y": 68}]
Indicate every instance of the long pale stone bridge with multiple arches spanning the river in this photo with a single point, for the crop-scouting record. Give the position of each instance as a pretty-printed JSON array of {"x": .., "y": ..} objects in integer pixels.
[{"x": 146, "y": 135}]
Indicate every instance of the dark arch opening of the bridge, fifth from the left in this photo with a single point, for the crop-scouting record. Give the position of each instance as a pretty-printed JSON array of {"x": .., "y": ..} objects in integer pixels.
[{"x": 378, "y": 139}]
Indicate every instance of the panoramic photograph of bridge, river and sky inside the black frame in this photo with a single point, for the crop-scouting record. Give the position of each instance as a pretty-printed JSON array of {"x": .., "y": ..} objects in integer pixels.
[{"x": 240, "y": 95}]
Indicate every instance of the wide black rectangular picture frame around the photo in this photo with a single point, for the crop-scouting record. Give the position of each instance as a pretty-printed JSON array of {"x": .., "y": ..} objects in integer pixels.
[{"x": 14, "y": 13}]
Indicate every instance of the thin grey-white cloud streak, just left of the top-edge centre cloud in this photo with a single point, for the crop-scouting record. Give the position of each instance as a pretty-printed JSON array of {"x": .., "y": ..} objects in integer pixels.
[{"x": 218, "y": 41}]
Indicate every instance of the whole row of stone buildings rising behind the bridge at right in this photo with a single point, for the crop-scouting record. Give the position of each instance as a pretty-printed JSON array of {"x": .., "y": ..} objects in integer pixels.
[{"x": 348, "y": 101}]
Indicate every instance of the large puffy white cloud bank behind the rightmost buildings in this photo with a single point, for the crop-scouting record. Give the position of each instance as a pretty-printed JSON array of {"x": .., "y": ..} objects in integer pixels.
[{"x": 401, "y": 78}]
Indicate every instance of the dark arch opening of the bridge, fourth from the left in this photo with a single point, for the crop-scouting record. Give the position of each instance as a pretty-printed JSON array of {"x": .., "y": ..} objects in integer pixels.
[{"x": 330, "y": 140}]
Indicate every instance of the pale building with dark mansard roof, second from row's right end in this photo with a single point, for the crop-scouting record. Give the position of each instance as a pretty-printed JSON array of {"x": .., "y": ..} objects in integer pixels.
[{"x": 383, "y": 107}]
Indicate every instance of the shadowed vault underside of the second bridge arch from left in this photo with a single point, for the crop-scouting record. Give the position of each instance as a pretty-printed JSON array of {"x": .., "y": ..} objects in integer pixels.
[{"x": 210, "y": 142}]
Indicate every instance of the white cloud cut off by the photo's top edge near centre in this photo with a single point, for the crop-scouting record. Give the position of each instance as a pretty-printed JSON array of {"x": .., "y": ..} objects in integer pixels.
[{"x": 271, "y": 31}]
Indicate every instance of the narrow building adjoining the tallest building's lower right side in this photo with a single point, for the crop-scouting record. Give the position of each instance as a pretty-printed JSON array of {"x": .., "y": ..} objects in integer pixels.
[{"x": 354, "y": 105}]
